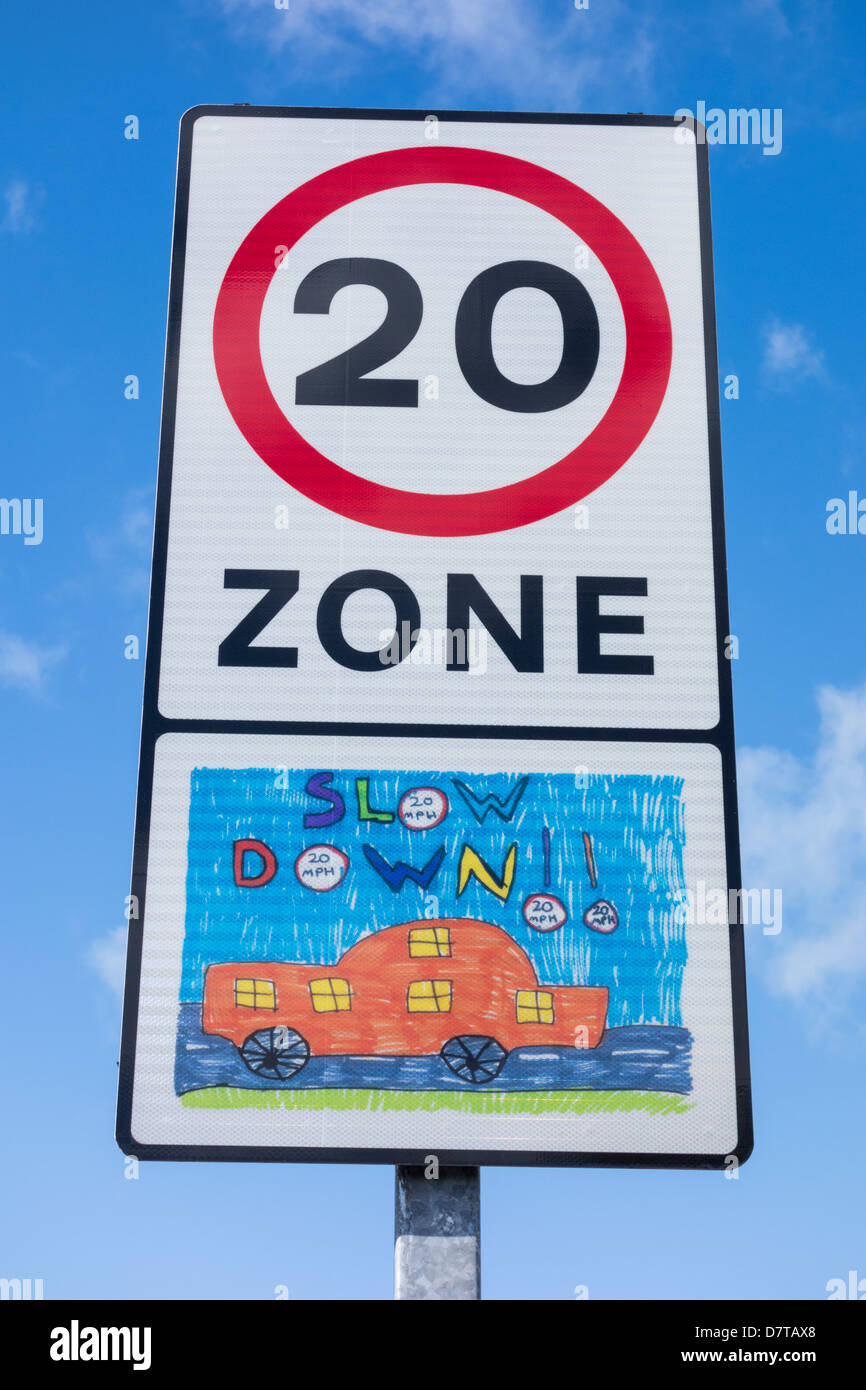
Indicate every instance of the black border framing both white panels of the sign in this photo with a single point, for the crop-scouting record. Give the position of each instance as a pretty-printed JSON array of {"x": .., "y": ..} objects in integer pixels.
[{"x": 155, "y": 725}]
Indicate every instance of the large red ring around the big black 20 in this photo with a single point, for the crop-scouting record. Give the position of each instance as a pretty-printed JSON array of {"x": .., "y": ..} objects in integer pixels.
[{"x": 263, "y": 425}]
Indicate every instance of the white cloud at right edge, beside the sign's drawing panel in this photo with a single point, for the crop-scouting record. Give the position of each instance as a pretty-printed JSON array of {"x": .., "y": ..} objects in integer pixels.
[{"x": 804, "y": 831}]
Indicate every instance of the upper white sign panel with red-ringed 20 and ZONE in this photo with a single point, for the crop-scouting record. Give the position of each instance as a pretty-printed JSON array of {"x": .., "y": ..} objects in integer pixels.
[{"x": 430, "y": 472}]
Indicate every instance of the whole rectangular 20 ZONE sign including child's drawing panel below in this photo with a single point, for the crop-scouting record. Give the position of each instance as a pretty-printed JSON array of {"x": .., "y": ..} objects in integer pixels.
[{"x": 437, "y": 831}]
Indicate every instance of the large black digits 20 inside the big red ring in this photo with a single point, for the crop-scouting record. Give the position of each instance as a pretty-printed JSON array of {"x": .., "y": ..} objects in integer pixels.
[{"x": 343, "y": 382}]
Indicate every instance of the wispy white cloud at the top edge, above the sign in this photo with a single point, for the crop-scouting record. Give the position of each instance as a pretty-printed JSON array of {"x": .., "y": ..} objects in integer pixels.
[{"x": 466, "y": 45}]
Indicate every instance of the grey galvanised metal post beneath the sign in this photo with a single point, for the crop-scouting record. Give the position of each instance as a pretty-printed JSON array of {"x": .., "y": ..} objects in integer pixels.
[{"x": 437, "y": 1229}]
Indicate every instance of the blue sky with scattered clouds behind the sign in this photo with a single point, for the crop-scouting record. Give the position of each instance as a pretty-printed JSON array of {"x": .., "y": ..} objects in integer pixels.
[{"x": 85, "y": 227}]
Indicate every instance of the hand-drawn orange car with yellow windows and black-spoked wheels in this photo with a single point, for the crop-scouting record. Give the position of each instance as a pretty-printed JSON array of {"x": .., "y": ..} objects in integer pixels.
[{"x": 455, "y": 988}]
